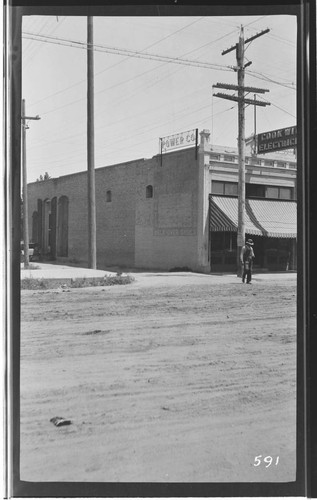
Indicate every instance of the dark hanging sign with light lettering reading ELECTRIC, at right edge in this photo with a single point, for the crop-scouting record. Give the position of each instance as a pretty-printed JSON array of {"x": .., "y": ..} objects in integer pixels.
[{"x": 276, "y": 140}]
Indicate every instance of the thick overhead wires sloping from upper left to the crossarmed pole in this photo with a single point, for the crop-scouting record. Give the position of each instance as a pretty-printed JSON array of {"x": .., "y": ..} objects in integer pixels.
[{"x": 124, "y": 52}]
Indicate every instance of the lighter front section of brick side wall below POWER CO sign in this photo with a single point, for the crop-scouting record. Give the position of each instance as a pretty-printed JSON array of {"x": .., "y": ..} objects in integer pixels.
[{"x": 166, "y": 225}]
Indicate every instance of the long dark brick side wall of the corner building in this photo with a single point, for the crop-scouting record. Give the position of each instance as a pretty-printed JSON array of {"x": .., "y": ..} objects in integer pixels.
[{"x": 132, "y": 230}]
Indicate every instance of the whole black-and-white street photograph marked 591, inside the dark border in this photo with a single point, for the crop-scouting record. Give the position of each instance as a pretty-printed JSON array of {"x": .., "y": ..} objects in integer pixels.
[{"x": 159, "y": 247}]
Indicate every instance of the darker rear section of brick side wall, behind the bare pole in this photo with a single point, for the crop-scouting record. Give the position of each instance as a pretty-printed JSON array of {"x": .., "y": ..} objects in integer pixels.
[{"x": 115, "y": 220}]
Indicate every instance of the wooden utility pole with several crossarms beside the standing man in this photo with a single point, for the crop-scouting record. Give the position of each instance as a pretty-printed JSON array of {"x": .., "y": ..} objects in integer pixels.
[{"x": 242, "y": 101}]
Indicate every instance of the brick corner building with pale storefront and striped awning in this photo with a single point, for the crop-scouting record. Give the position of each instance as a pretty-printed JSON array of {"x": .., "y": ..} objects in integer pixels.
[{"x": 171, "y": 211}]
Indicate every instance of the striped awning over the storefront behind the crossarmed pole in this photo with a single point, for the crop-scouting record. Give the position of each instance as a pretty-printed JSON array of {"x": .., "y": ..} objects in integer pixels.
[{"x": 271, "y": 218}]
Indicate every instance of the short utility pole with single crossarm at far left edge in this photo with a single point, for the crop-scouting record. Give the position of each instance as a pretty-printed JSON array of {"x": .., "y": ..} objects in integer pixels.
[{"x": 24, "y": 184}]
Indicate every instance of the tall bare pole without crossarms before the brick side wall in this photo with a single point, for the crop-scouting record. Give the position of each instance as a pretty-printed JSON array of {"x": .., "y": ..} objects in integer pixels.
[{"x": 91, "y": 148}]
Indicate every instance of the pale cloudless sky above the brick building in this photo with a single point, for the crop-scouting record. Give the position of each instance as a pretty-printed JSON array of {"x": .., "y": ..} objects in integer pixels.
[{"x": 140, "y": 99}]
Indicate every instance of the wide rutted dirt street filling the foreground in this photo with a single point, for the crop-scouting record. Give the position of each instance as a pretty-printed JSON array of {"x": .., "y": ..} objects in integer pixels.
[{"x": 173, "y": 378}]
